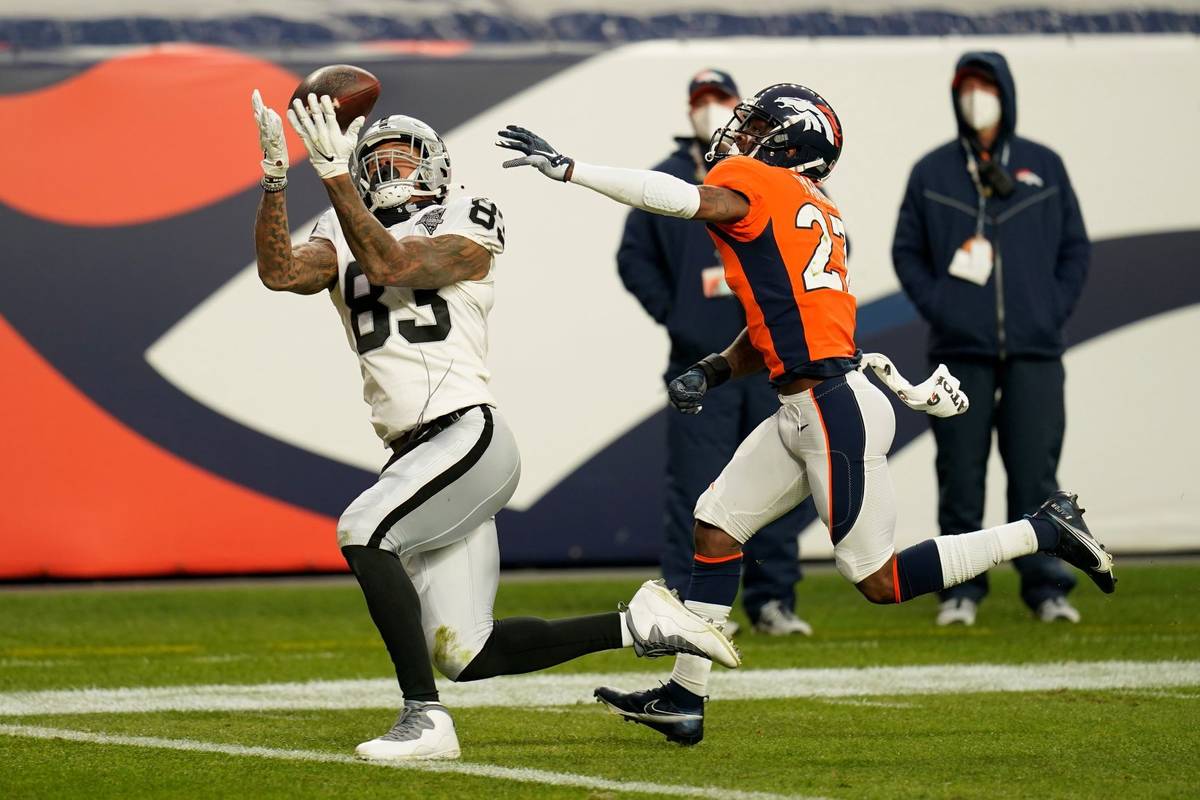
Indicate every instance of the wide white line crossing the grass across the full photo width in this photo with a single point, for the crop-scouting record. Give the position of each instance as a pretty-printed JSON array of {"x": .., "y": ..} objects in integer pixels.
[{"x": 560, "y": 689}]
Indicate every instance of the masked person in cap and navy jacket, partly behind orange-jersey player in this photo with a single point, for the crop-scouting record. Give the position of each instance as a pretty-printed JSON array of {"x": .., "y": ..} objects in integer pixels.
[{"x": 674, "y": 270}]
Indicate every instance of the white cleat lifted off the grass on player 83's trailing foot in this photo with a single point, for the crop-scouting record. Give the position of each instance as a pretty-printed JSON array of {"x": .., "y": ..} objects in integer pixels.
[{"x": 663, "y": 627}]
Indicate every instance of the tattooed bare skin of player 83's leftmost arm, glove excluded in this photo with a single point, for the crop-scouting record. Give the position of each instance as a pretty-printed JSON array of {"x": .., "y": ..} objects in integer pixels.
[{"x": 307, "y": 269}]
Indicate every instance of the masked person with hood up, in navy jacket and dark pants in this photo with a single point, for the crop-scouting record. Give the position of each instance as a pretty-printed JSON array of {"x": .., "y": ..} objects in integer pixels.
[{"x": 992, "y": 250}]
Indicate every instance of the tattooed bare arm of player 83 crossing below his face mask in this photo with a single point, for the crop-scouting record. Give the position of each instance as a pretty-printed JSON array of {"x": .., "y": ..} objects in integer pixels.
[{"x": 412, "y": 262}]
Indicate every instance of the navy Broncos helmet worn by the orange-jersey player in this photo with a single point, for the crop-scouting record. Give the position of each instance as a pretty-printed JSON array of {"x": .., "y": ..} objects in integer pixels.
[{"x": 785, "y": 125}]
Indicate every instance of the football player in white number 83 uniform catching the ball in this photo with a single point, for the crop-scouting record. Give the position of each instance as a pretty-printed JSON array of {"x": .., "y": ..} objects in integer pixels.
[{"x": 411, "y": 275}]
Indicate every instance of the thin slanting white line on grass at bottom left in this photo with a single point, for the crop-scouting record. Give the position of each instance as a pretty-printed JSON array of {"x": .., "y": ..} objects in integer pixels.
[{"x": 523, "y": 775}]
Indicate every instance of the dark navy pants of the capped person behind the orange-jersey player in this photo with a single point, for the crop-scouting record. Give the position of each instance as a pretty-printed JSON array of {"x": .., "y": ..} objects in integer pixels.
[{"x": 699, "y": 447}]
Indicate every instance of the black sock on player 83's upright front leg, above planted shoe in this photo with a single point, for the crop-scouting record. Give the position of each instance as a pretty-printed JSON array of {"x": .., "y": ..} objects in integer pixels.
[{"x": 397, "y": 611}]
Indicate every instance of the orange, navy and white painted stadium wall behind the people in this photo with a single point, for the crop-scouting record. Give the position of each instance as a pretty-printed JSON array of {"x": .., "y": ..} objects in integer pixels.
[{"x": 167, "y": 414}]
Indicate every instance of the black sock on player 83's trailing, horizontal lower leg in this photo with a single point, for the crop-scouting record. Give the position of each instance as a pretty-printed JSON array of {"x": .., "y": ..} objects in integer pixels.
[{"x": 523, "y": 645}]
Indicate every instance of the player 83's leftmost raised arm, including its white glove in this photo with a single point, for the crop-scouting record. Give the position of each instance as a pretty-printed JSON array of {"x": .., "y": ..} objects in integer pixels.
[{"x": 309, "y": 268}]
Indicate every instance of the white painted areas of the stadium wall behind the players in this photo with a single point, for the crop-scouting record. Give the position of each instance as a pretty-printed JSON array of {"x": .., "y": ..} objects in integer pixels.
[{"x": 1112, "y": 106}]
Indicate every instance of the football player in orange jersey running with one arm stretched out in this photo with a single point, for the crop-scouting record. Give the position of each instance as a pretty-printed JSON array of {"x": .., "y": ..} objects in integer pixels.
[{"x": 783, "y": 245}]
